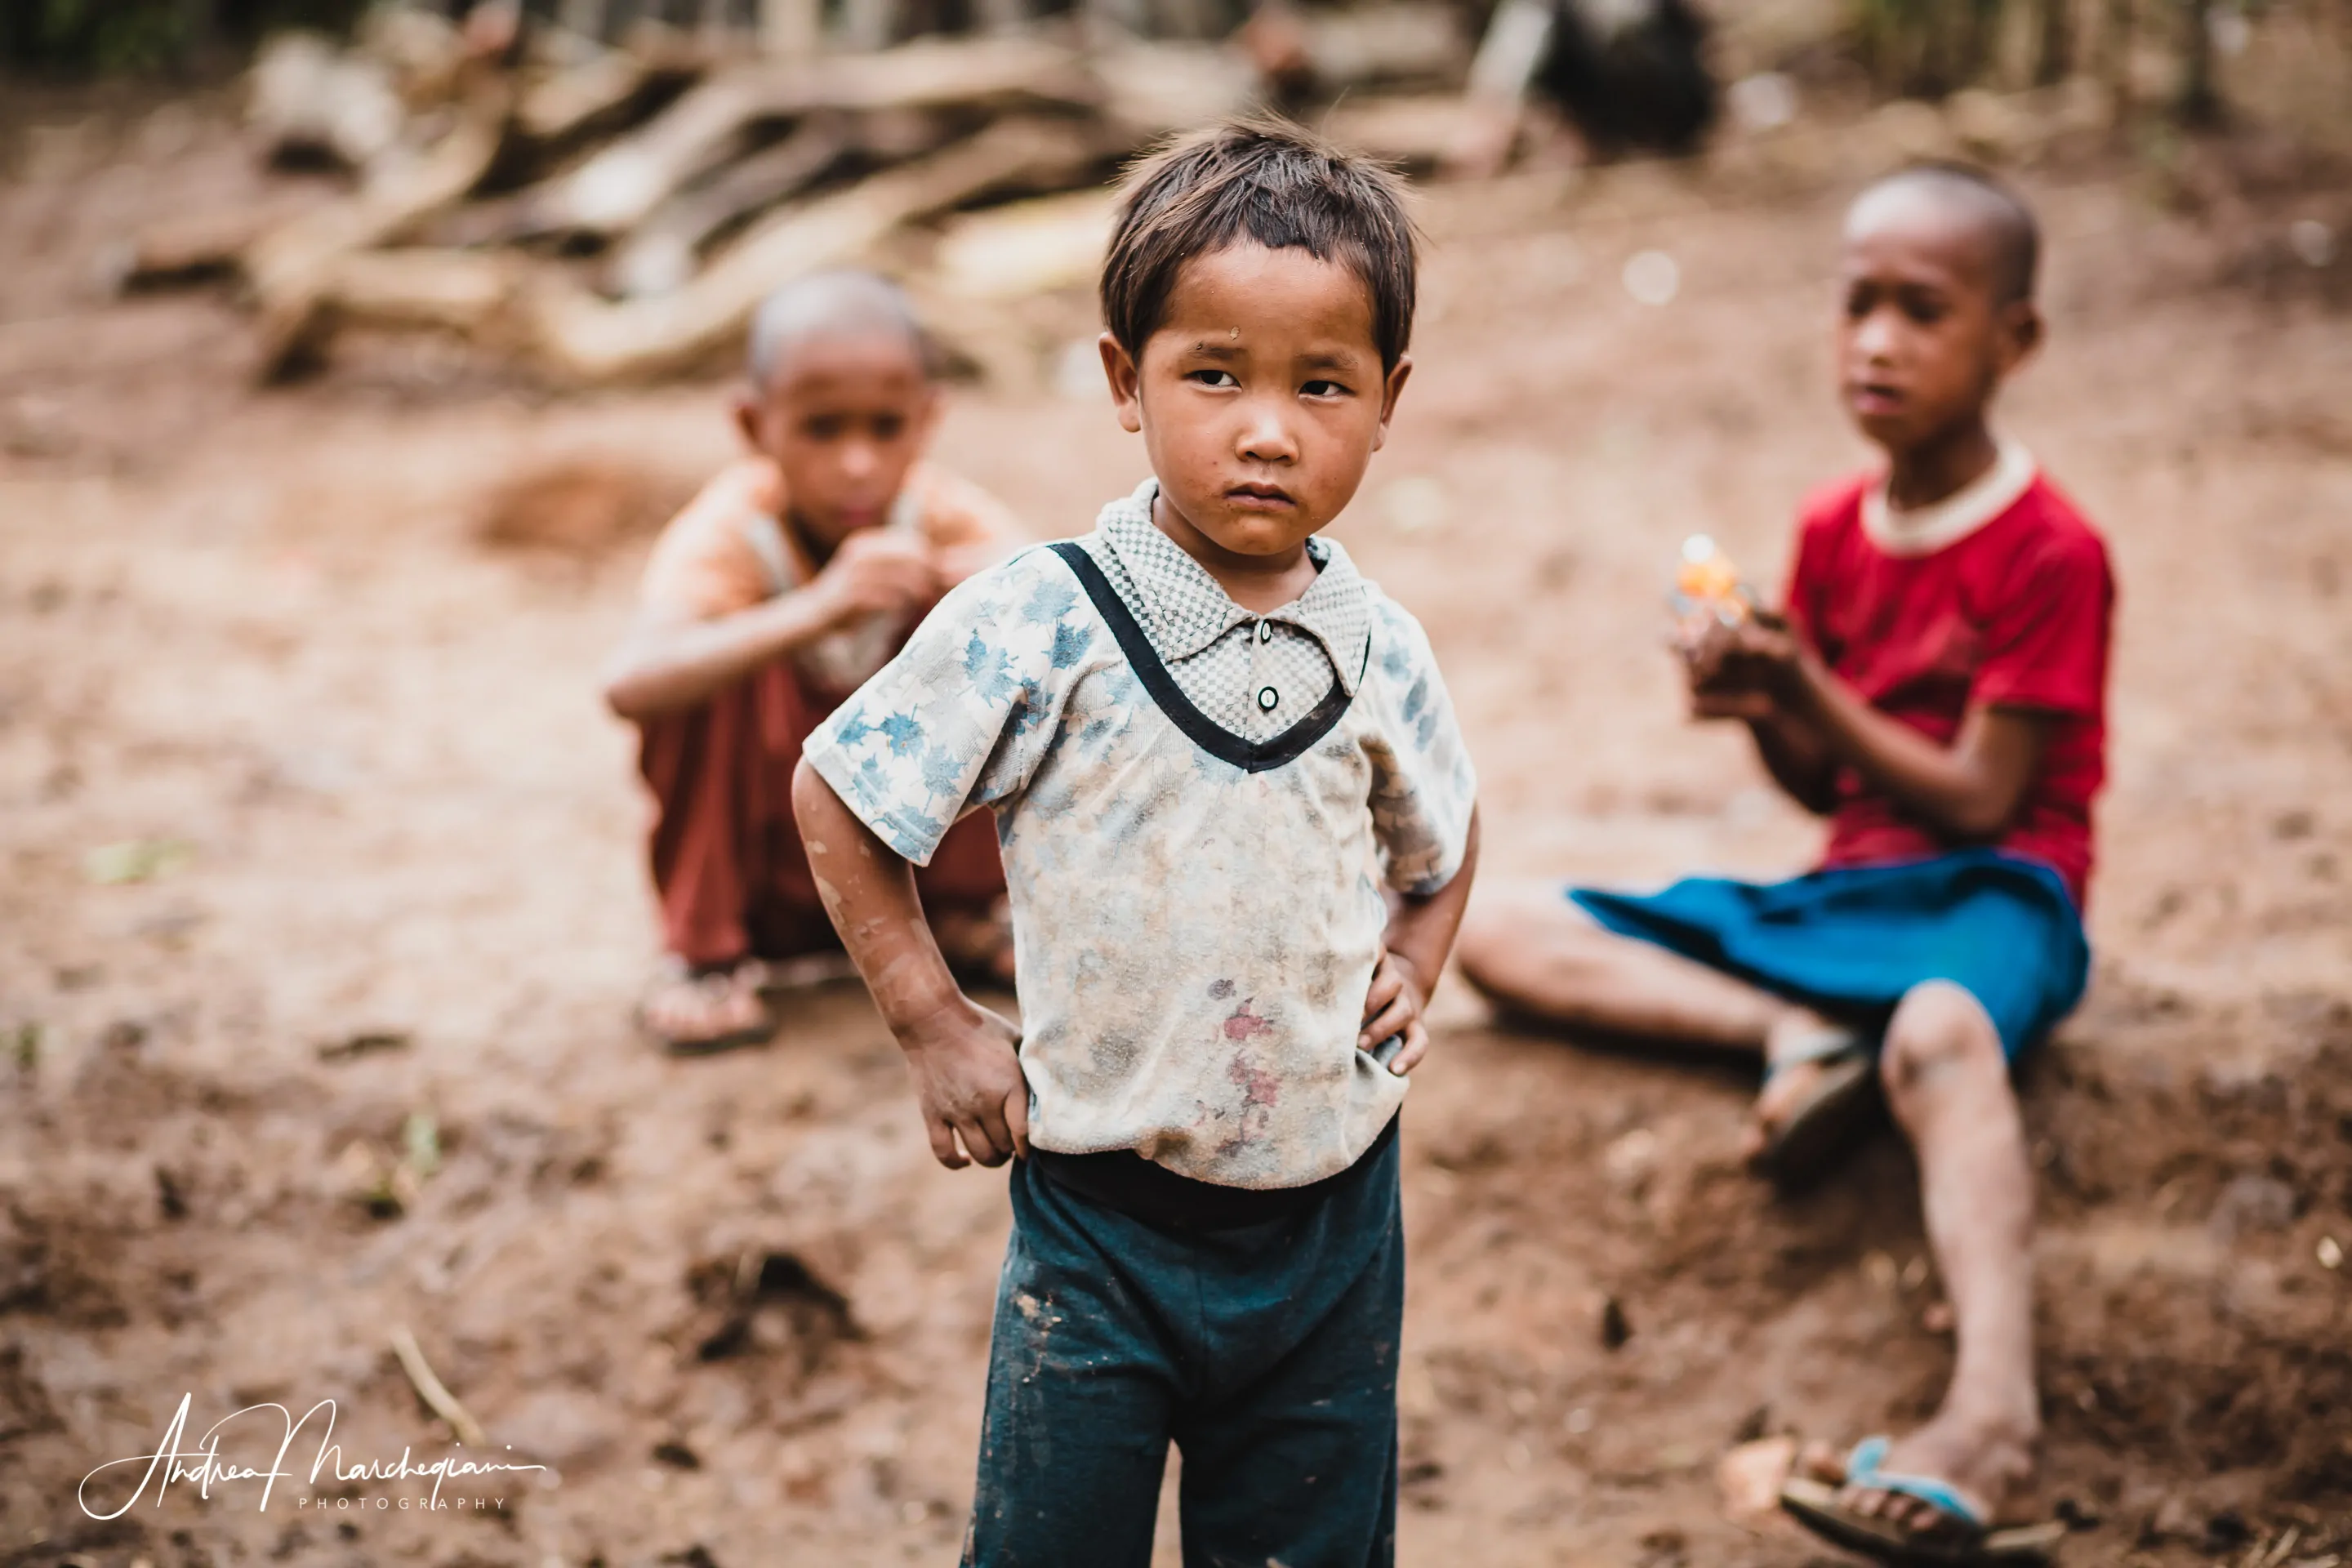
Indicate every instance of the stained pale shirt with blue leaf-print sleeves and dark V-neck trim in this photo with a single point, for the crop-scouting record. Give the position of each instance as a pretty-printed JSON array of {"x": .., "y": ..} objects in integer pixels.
[{"x": 1196, "y": 911}]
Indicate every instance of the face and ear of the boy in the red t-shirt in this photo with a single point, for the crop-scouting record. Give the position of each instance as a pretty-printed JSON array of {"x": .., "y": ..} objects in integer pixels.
[{"x": 1923, "y": 337}]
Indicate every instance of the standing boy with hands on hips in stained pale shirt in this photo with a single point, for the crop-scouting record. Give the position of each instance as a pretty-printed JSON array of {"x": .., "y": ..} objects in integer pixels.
[{"x": 1208, "y": 746}]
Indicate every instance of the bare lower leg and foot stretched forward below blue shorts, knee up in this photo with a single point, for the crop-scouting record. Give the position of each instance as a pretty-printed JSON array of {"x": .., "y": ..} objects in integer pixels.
[{"x": 1949, "y": 1087}]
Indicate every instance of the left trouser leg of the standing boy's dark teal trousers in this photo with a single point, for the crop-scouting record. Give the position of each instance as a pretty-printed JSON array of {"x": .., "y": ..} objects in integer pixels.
[{"x": 1081, "y": 1395}]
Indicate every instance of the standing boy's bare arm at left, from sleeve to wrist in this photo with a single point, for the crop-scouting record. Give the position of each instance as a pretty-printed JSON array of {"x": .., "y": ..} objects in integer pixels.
[{"x": 869, "y": 892}]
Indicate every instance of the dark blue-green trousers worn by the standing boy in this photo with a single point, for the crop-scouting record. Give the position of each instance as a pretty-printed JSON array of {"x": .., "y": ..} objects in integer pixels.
[{"x": 1267, "y": 1353}]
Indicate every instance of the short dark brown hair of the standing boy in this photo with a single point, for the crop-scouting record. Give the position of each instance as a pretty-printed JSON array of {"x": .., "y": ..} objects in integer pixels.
[{"x": 1274, "y": 185}]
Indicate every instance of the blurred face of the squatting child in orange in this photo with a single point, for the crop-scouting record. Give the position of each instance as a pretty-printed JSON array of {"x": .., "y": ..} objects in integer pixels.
[{"x": 843, "y": 417}]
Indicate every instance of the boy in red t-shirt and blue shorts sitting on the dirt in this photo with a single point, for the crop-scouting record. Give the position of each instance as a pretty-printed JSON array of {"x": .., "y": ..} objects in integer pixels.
[{"x": 1939, "y": 692}]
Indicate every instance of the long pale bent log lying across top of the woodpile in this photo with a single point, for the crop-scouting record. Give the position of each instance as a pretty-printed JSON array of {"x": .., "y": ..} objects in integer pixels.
[{"x": 629, "y": 180}]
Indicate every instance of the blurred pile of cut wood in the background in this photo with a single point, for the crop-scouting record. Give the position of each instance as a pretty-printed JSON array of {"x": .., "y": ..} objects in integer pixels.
[{"x": 615, "y": 210}]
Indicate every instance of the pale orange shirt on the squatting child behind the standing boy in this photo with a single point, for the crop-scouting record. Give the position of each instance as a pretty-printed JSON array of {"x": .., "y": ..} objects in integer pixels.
[{"x": 730, "y": 551}]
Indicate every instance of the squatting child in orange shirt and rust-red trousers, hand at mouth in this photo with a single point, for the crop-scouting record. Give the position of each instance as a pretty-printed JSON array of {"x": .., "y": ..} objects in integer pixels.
[{"x": 773, "y": 596}]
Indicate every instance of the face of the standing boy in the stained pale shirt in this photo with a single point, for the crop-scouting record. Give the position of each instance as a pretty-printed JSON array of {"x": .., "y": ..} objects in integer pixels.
[{"x": 1262, "y": 396}]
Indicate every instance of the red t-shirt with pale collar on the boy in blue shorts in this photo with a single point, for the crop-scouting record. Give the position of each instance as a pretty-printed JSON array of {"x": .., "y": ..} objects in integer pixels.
[{"x": 2014, "y": 615}]
